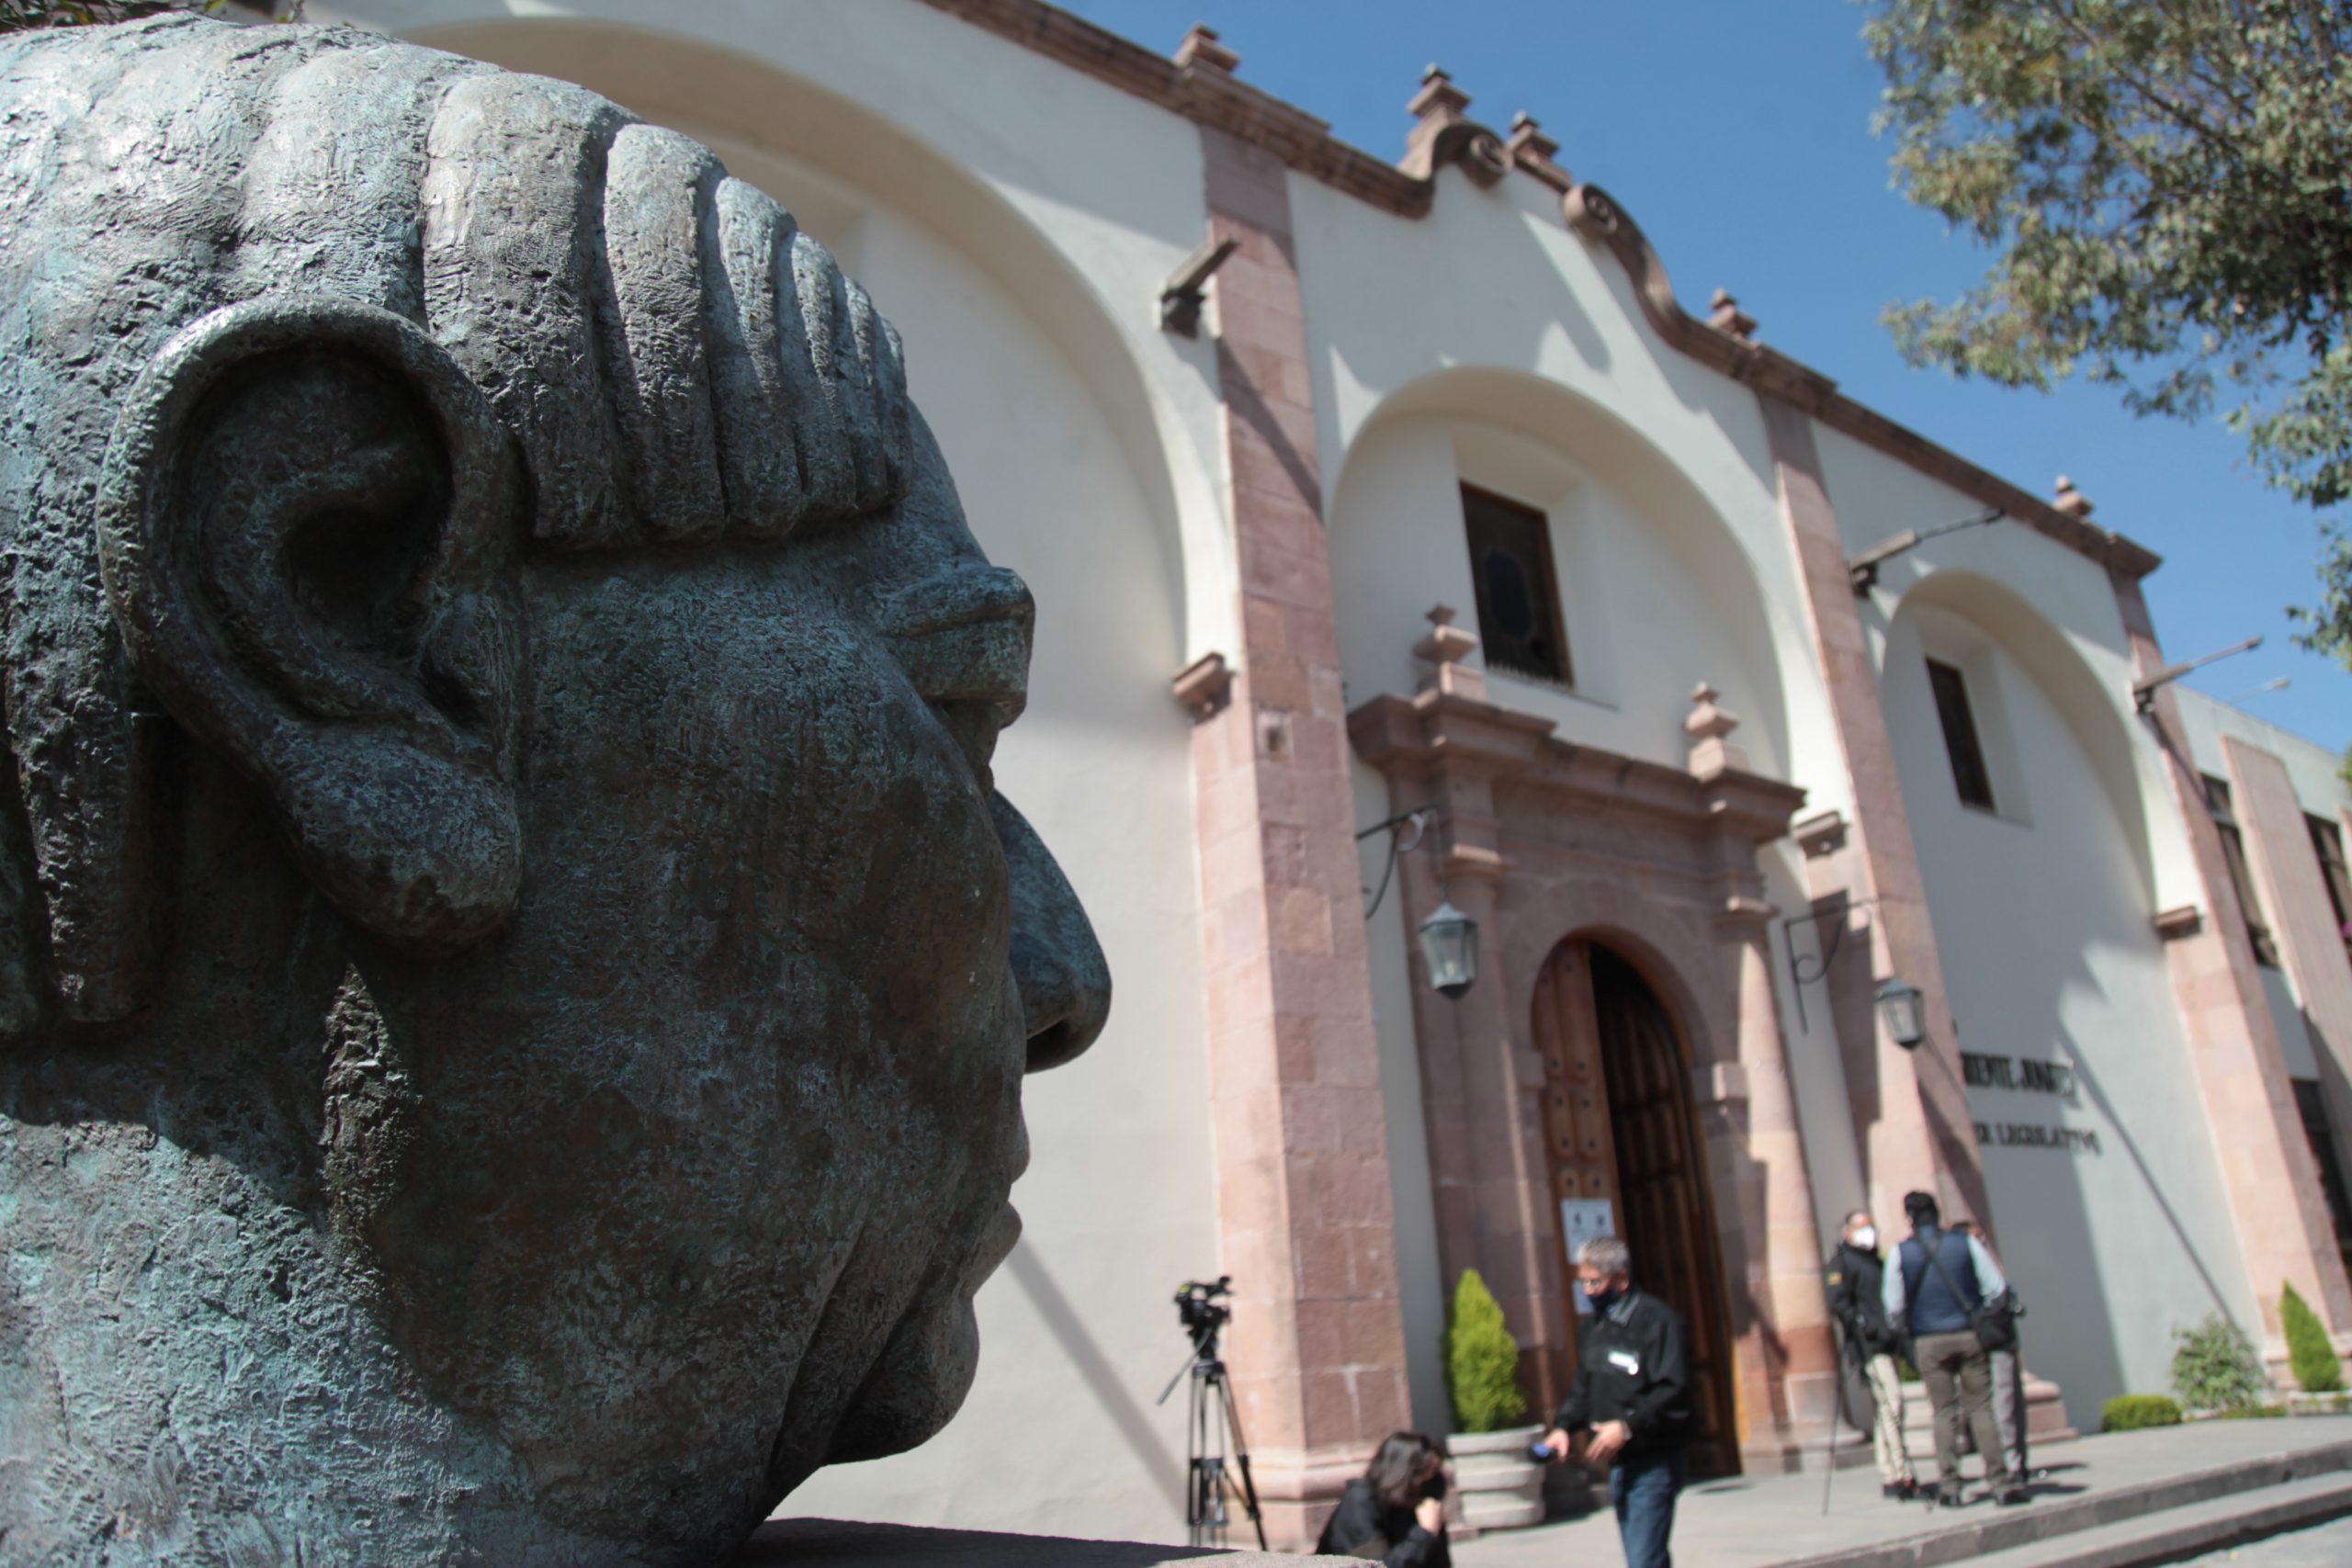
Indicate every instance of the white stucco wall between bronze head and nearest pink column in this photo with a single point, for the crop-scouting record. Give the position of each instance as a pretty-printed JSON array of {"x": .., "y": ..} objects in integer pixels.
[{"x": 1085, "y": 448}]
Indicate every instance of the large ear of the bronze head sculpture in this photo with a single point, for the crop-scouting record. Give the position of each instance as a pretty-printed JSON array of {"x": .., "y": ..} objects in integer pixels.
[{"x": 305, "y": 528}]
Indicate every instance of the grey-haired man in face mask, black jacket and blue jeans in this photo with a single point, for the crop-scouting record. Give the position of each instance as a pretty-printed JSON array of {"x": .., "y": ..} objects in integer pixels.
[{"x": 1633, "y": 1391}]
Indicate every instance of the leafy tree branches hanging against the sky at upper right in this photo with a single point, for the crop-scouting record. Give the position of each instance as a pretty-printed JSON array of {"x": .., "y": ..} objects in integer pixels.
[{"x": 2165, "y": 189}]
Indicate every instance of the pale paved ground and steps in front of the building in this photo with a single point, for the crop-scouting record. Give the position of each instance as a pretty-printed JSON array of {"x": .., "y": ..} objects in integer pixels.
[{"x": 1779, "y": 1520}]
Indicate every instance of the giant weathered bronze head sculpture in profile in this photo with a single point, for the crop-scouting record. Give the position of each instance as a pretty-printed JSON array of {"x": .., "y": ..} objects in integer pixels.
[{"x": 514, "y": 977}]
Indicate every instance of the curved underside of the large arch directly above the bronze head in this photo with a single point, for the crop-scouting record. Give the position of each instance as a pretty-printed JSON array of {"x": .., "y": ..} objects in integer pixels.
[{"x": 709, "y": 93}]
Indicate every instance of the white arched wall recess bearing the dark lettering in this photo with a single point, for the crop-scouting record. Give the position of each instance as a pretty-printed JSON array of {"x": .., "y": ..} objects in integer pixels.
[{"x": 2043, "y": 918}]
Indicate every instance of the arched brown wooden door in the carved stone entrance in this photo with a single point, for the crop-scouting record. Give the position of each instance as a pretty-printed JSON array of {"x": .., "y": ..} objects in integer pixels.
[{"x": 1622, "y": 1132}]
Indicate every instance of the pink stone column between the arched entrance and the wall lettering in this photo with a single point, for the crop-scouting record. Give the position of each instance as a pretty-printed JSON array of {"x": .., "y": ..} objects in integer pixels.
[{"x": 1925, "y": 1137}]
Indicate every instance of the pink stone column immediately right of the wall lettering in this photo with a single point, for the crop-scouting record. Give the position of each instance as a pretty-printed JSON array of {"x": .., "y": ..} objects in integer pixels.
[{"x": 2266, "y": 1162}]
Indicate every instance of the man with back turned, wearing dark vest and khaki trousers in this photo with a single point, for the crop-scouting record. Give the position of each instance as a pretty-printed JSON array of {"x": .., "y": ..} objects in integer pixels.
[{"x": 1939, "y": 1282}]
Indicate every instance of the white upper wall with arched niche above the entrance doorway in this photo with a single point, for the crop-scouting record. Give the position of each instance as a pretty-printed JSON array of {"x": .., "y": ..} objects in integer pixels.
[{"x": 1490, "y": 344}]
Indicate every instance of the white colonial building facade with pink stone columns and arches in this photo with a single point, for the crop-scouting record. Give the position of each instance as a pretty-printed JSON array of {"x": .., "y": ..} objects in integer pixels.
[{"x": 1363, "y": 490}]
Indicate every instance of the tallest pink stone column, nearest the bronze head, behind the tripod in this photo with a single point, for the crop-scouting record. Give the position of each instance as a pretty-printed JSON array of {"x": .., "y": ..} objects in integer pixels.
[{"x": 1304, "y": 1202}]
